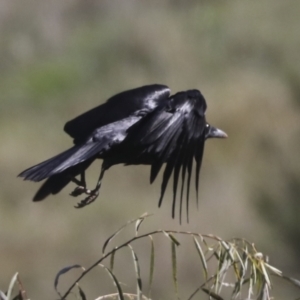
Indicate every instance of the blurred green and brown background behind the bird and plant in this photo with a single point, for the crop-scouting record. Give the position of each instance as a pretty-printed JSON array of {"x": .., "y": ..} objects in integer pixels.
[{"x": 61, "y": 58}]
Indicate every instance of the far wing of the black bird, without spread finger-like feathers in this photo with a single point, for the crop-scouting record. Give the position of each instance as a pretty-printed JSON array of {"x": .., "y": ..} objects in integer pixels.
[{"x": 116, "y": 108}]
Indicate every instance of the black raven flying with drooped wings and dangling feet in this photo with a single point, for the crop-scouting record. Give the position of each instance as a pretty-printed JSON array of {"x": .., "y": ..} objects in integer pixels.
[{"x": 146, "y": 126}]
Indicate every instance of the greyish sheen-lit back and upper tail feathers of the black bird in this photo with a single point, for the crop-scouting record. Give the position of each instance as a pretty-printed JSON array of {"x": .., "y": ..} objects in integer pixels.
[{"x": 100, "y": 141}]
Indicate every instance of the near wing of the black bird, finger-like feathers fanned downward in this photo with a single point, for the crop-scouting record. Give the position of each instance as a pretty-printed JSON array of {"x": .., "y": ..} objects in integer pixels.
[{"x": 174, "y": 134}]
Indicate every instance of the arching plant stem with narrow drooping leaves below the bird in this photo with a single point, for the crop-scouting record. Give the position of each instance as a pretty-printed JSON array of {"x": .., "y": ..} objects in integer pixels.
[{"x": 235, "y": 264}]
